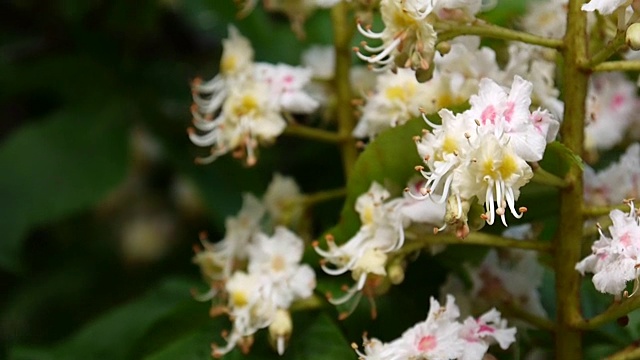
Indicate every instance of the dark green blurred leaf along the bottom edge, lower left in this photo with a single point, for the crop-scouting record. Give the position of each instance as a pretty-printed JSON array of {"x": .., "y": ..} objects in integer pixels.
[{"x": 114, "y": 335}]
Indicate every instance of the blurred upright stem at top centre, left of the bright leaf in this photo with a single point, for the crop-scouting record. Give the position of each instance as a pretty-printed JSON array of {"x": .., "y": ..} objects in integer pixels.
[{"x": 343, "y": 29}]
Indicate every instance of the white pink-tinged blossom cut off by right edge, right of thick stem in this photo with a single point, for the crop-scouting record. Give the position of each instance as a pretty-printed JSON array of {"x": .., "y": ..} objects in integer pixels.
[{"x": 615, "y": 258}]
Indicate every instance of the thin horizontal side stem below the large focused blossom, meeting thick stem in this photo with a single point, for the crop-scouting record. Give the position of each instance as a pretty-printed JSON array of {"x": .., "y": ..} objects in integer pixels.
[{"x": 475, "y": 238}]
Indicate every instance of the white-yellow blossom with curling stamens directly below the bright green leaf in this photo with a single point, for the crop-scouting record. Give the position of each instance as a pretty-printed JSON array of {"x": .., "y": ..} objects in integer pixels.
[{"x": 366, "y": 254}]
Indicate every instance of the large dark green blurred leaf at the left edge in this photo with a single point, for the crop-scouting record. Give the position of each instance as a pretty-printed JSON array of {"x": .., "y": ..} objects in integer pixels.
[{"x": 57, "y": 166}]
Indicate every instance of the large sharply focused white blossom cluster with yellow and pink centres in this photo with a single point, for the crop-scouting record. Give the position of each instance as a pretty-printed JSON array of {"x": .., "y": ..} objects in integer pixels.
[{"x": 483, "y": 152}]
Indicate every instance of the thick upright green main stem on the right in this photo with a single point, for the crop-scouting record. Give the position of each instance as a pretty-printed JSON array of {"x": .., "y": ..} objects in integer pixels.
[{"x": 568, "y": 240}]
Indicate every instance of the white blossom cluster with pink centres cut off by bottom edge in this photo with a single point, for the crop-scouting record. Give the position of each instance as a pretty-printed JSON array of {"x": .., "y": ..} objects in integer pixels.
[{"x": 443, "y": 337}]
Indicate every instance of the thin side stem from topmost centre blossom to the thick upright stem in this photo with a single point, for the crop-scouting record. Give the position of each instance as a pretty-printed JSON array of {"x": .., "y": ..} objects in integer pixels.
[{"x": 449, "y": 30}]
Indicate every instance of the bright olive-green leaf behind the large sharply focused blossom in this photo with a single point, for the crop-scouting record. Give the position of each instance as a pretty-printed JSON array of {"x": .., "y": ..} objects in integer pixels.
[{"x": 390, "y": 160}]
